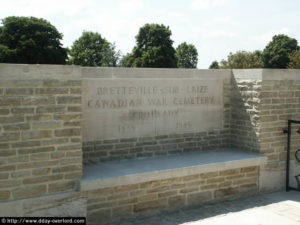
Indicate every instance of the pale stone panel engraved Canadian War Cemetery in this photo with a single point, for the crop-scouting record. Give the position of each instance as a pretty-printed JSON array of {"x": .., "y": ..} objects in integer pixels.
[{"x": 123, "y": 108}]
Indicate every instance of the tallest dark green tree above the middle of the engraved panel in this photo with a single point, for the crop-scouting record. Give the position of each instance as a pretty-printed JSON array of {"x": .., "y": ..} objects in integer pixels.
[{"x": 153, "y": 48}]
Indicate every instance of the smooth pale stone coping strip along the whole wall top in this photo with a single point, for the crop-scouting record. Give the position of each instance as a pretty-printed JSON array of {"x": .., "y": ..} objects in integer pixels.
[{"x": 35, "y": 71}]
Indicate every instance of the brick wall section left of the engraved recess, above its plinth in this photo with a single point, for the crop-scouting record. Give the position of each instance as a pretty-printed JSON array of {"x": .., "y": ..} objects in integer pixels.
[{"x": 40, "y": 124}]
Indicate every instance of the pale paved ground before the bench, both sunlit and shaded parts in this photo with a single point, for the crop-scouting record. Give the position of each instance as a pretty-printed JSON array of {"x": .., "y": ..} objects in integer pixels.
[{"x": 281, "y": 208}]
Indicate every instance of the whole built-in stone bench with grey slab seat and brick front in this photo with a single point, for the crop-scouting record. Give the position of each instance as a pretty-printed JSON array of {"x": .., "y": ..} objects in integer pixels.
[{"x": 126, "y": 188}]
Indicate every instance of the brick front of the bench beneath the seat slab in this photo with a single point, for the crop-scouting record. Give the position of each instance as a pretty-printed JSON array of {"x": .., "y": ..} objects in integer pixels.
[{"x": 117, "y": 202}]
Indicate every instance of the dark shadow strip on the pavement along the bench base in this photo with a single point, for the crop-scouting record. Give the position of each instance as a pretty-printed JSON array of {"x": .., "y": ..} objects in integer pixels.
[{"x": 211, "y": 210}]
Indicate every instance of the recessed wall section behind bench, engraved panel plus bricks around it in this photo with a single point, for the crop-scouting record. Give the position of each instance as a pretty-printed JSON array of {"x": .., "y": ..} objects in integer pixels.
[{"x": 156, "y": 112}]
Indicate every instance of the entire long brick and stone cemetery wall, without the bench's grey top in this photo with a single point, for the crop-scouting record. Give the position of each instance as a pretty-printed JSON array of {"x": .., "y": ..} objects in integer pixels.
[{"x": 55, "y": 118}]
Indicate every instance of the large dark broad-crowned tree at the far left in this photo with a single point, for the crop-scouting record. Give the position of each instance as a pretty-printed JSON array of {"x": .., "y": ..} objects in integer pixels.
[{"x": 30, "y": 40}]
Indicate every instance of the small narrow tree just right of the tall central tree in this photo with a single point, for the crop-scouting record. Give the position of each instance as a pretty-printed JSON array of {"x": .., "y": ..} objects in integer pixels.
[{"x": 187, "y": 56}]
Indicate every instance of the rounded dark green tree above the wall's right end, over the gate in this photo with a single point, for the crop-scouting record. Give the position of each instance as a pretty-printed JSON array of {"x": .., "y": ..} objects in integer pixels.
[{"x": 276, "y": 53}]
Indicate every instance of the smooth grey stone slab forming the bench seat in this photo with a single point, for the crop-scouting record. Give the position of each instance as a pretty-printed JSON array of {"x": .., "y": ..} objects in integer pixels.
[{"x": 118, "y": 173}]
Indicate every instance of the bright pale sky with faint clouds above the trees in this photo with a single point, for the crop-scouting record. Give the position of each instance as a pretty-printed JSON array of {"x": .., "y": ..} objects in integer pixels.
[{"x": 215, "y": 27}]
